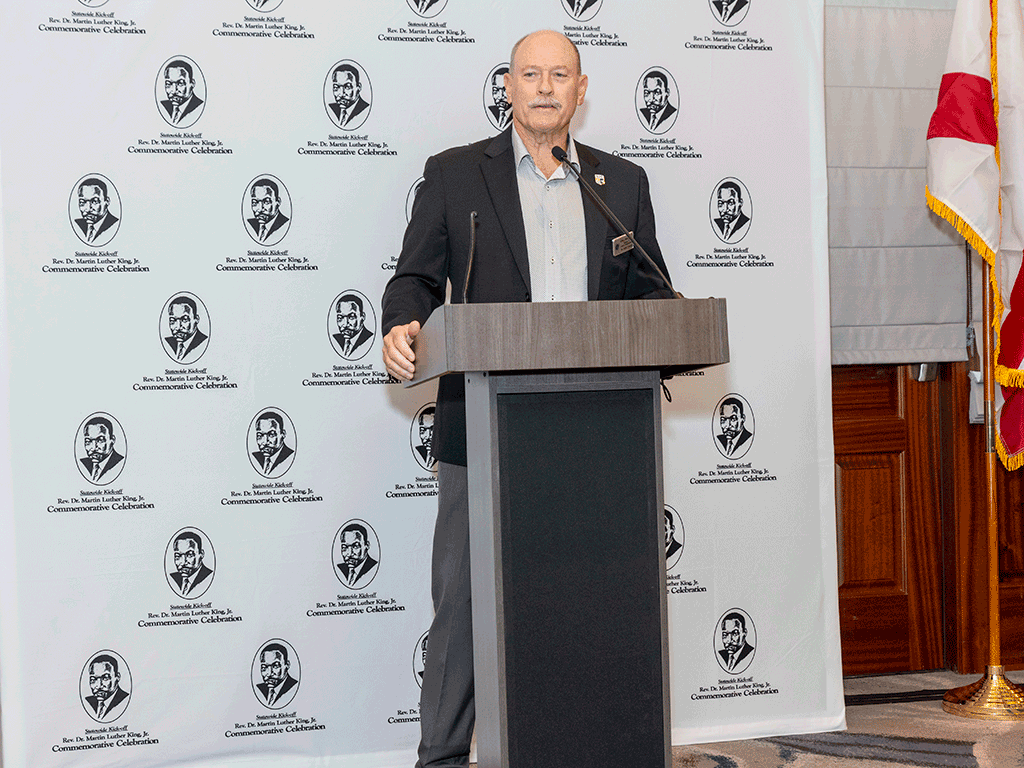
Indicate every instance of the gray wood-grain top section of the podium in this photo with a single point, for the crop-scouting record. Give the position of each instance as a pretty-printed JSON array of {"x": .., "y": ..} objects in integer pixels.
[{"x": 682, "y": 334}]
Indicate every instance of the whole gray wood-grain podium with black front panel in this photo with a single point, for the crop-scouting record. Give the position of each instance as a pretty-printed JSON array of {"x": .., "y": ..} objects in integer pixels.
[{"x": 567, "y": 519}]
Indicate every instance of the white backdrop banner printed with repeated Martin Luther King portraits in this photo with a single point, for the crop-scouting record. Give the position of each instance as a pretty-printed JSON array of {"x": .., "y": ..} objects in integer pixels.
[{"x": 218, "y": 508}]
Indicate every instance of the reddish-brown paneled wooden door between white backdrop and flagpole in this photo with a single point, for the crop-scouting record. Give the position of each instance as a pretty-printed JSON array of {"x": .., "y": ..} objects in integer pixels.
[{"x": 888, "y": 433}]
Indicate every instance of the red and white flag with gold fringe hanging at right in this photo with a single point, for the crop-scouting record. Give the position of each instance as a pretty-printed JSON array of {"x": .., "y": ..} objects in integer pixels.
[{"x": 976, "y": 179}]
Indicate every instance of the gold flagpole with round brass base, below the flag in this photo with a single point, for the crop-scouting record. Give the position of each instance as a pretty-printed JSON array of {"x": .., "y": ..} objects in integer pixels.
[{"x": 993, "y": 698}]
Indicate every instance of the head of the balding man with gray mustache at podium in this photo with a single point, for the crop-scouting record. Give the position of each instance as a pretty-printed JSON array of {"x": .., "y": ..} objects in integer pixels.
[{"x": 545, "y": 86}]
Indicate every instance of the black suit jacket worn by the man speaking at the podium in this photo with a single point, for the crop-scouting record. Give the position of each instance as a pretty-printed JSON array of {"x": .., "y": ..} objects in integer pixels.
[{"x": 482, "y": 178}]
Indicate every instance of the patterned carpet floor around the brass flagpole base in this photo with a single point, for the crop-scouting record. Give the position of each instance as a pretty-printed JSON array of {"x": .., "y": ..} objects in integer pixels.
[{"x": 891, "y": 720}]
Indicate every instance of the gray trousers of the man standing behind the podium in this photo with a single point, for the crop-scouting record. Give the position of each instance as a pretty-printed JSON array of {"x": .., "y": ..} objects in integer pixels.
[{"x": 447, "y": 710}]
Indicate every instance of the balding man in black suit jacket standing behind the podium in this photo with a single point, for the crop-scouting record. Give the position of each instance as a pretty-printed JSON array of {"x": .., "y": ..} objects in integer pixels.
[{"x": 499, "y": 179}]
